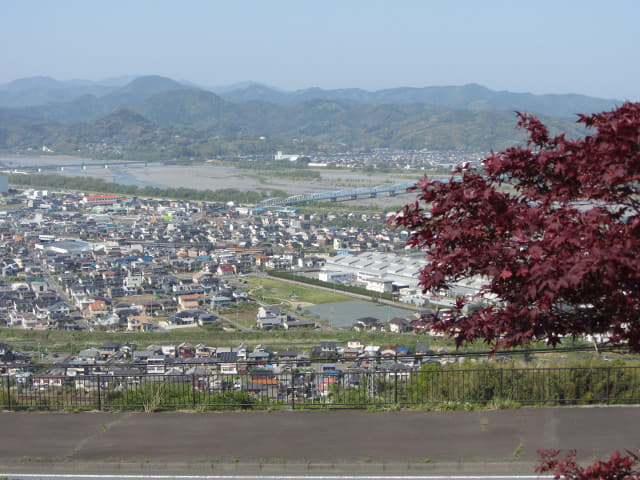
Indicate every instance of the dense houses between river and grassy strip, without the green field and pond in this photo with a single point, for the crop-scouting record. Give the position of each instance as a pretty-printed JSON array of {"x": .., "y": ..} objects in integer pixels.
[{"x": 72, "y": 261}]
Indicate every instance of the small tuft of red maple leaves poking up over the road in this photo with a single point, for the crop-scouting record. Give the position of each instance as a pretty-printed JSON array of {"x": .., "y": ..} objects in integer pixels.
[{"x": 618, "y": 467}]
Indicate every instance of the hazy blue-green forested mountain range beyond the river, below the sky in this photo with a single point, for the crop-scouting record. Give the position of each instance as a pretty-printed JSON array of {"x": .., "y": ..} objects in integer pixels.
[{"x": 156, "y": 117}]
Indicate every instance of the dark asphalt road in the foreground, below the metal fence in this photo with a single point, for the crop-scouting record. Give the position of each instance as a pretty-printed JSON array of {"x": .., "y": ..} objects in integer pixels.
[{"x": 304, "y": 443}]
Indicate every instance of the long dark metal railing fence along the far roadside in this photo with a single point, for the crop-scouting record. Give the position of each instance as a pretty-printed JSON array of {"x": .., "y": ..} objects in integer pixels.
[{"x": 357, "y": 388}]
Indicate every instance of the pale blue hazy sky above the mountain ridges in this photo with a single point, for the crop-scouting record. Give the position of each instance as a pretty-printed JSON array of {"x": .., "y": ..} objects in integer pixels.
[{"x": 539, "y": 46}]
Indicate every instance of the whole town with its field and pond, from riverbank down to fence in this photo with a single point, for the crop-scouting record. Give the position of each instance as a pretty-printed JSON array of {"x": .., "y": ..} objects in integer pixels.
[{"x": 98, "y": 264}]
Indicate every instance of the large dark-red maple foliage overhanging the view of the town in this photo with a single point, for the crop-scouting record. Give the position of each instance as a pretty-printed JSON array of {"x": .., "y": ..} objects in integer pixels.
[{"x": 553, "y": 228}]
